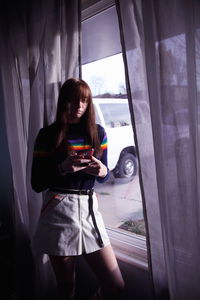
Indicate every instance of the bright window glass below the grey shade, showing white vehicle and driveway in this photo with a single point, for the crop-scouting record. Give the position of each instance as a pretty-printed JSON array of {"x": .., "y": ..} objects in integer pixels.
[{"x": 120, "y": 197}]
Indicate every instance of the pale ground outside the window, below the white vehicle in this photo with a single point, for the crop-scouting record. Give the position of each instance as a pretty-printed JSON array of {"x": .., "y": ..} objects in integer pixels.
[{"x": 120, "y": 203}]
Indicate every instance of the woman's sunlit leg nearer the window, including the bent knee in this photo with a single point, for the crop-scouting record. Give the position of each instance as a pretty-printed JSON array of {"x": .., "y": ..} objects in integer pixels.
[{"x": 103, "y": 262}]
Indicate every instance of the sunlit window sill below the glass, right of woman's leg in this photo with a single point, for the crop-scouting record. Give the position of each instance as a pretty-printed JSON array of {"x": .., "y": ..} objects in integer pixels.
[{"x": 130, "y": 248}]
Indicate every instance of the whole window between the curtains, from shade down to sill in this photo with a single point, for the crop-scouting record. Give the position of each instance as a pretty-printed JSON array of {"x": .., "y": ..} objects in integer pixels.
[{"x": 120, "y": 198}]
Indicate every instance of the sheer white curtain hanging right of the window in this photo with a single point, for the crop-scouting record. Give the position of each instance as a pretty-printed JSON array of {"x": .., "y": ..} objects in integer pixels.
[{"x": 161, "y": 47}]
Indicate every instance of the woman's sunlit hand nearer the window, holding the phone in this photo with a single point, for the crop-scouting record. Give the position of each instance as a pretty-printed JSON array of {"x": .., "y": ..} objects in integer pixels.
[{"x": 96, "y": 168}]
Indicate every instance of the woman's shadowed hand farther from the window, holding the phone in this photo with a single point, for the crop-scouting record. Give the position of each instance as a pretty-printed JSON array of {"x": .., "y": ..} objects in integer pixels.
[{"x": 73, "y": 163}]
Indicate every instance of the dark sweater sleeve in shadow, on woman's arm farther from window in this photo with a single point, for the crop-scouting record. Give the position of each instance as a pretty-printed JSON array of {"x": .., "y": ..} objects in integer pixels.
[{"x": 44, "y": 165}]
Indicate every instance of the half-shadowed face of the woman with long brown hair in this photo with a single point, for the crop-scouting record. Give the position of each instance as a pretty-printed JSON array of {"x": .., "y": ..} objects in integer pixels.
[{"x": 76, "y": 109}]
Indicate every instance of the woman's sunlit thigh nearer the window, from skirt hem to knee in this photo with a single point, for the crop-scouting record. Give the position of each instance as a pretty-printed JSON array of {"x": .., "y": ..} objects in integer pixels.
[{"x": 104, "y": 264}]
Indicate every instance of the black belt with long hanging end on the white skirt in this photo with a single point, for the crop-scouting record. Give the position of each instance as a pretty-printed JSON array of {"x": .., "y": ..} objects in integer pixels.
[{"x": 91, "y": 211}]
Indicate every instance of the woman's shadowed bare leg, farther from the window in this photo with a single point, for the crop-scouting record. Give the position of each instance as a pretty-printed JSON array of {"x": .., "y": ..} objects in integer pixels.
[{"x": 64, "y": 269}]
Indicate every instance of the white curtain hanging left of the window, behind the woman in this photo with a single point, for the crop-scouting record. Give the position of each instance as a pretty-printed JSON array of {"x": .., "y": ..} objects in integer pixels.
[{"x": 39, "y": 49}]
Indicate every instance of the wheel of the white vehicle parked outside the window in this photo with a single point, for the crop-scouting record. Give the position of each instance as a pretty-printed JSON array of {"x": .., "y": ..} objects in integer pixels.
[{"x": 127, "y": 166}]
